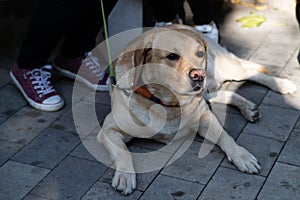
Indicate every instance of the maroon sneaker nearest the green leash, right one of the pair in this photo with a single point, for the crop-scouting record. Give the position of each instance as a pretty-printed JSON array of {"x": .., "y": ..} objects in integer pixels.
[{"x": 91, "y": 73}]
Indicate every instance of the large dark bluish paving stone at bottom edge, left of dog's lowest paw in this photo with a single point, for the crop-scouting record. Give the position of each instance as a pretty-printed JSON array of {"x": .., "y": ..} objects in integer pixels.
[{"x": 71, "y": 179}]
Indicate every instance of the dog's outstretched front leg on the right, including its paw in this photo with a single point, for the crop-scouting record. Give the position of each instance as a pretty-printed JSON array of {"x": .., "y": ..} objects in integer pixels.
[{"x": 212, "y": 130}]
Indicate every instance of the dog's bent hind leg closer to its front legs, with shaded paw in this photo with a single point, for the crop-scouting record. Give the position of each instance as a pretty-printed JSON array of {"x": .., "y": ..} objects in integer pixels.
[{"x": 247, "y": 108}]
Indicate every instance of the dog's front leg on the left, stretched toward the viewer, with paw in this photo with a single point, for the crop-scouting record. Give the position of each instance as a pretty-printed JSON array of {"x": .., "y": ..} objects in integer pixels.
[{"x": 125, "y": 178}]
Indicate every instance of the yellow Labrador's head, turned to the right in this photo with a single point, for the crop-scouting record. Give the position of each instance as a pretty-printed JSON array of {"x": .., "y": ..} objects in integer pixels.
[{"x": 167, "y": 61}]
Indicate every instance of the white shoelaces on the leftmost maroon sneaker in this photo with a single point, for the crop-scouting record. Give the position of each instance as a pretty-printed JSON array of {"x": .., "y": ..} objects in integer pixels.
[{"x": 40, "y": 80}]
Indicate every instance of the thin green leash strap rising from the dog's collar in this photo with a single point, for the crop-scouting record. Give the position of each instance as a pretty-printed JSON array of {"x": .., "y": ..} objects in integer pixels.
[{"x": 111, "y": 70}]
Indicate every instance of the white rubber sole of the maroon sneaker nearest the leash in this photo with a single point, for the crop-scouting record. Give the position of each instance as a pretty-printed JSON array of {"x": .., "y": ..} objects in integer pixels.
[{"x": 98, "y": 88}]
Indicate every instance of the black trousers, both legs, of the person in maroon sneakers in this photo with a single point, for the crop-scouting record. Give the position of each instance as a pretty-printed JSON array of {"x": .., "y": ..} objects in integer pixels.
[{"x": 77, "y": 22}]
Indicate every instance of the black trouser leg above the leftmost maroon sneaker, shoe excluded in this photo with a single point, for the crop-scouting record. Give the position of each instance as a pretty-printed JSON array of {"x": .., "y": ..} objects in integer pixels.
[{"x": 47, "y": 27}]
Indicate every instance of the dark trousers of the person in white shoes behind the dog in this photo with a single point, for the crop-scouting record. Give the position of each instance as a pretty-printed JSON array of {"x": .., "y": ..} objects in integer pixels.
[{"x": 166, "y": 10}]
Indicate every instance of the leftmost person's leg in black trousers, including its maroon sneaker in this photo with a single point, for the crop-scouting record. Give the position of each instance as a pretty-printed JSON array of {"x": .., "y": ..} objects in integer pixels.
[{"x": 32, "y": 74}]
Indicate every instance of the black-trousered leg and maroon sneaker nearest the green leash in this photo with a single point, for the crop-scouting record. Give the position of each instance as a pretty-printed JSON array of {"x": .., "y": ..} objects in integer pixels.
[{"x": 75, "y": 58}]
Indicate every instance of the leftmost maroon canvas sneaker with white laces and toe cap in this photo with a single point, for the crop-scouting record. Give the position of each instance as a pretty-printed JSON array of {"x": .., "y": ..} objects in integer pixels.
[{"x": 36, "y": 87}]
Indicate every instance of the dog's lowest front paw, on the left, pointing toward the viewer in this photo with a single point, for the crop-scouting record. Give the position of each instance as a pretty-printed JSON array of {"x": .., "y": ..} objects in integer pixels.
[{"x": 124, "y": 182}]
